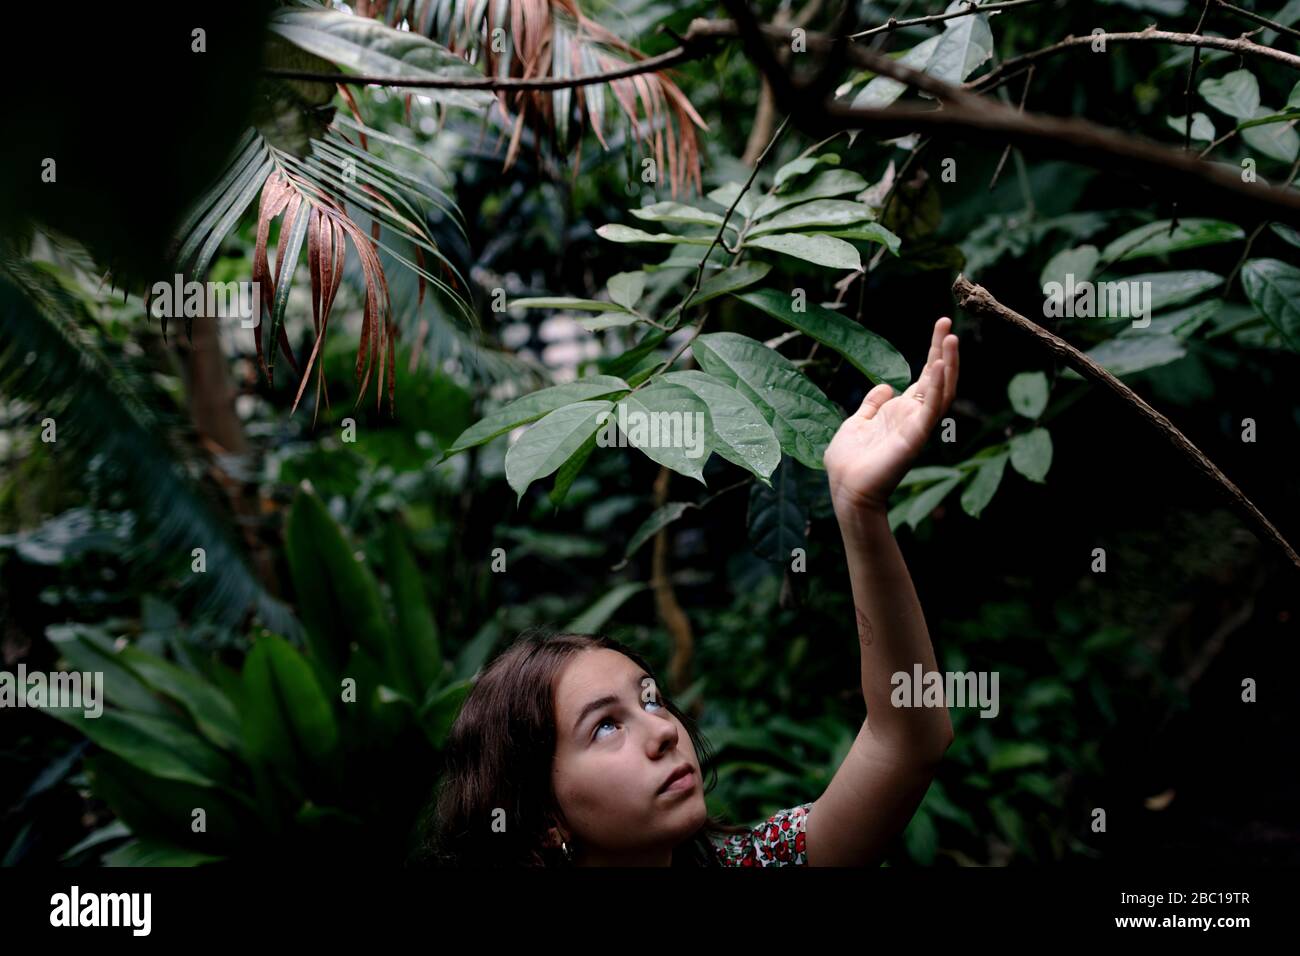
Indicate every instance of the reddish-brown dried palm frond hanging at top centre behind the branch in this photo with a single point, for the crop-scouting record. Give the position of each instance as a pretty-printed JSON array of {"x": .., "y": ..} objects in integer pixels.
[{"x": 554, "y": 38}]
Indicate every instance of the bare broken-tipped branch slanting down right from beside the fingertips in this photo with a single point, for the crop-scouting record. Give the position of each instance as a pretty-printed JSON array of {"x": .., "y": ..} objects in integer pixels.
[{"x": 978, "y": 301}]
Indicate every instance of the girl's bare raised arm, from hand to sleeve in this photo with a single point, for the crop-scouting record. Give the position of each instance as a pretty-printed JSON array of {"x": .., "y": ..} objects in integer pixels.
[{"x": 891, "y": 764}]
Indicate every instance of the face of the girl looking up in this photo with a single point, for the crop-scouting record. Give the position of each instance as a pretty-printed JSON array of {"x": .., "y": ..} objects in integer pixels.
[{"x": 614, "y": 756}]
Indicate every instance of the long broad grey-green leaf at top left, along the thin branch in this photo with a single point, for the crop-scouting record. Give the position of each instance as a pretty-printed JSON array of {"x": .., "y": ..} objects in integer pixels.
[{"x": 370, "y": 47}]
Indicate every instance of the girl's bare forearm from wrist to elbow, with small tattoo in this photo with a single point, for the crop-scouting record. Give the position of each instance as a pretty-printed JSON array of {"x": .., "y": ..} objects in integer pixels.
[{"x": 892, "y": 637}]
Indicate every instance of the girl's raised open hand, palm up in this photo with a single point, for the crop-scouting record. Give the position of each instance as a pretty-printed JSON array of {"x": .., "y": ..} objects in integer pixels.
[{"x": 876, "y": 445}]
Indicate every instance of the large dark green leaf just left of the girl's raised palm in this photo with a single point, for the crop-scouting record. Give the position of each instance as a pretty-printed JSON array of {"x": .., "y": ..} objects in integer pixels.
[{"x": 804, "y": 419}]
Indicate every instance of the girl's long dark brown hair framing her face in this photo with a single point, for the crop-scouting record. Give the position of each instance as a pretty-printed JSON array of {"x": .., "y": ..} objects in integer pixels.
[{"x": 499, "y": 763}]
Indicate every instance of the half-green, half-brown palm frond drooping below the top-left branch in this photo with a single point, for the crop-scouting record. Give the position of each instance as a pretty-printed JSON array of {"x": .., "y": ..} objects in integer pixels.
[{"x": 317, "y": 198}]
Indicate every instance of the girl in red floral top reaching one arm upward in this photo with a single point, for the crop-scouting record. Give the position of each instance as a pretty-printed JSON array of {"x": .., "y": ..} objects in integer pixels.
[{"x": 566, "y": 754}]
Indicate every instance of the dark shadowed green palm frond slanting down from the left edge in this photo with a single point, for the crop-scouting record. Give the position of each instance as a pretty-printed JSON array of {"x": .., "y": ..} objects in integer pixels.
[{"x": 99, "y": 412}]
